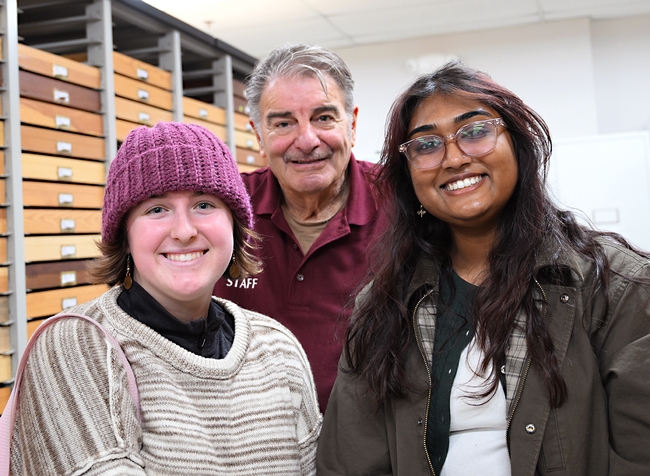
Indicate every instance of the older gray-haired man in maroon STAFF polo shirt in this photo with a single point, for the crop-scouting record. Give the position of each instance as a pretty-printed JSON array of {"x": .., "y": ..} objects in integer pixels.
[{"x": 314, "y": 205}]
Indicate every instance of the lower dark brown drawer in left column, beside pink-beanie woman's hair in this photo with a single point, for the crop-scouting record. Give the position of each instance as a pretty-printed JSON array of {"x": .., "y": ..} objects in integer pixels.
[{"x": 56, "y": 275}]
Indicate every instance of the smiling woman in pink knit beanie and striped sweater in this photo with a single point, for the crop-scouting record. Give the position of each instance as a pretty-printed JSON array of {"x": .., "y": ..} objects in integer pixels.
[{"x": 222, "y": 390}]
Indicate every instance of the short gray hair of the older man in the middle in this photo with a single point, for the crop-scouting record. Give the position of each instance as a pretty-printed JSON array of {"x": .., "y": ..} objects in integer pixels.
[{"x": 298, "y": 60}]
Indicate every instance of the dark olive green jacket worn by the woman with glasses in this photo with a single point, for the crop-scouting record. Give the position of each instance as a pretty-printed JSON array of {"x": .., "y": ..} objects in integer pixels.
[{"x": 603, "y": 428}]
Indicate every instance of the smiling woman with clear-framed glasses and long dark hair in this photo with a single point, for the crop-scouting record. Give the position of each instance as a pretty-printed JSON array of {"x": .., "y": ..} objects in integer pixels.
[{"x": 498, "y": 336}]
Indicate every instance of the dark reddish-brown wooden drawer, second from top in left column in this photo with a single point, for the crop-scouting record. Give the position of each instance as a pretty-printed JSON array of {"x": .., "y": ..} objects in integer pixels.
[{"x": 58, "y": 92}]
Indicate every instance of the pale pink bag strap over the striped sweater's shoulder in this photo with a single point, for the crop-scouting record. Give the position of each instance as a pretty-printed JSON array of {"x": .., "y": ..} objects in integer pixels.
[{"x": 9, "y": 415}]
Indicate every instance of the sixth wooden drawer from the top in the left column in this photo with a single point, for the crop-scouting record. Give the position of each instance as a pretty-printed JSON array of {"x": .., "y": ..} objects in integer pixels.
[{"x": 44, "y": 194}]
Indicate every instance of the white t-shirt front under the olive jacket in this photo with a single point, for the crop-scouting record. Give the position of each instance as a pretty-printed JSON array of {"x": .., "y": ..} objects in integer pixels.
[{"x": 477, "y": 432}]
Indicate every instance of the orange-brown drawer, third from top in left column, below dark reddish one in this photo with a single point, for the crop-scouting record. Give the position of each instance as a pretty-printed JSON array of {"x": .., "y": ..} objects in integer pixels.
[{"x": 44, "y": 114}]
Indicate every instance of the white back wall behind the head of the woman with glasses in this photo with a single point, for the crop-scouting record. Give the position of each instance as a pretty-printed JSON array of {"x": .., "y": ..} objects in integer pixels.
[{"x": 583, "y": 77}]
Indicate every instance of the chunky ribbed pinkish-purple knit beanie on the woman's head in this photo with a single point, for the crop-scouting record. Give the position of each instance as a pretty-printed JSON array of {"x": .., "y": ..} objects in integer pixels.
[{"x": 170, "y": 157}]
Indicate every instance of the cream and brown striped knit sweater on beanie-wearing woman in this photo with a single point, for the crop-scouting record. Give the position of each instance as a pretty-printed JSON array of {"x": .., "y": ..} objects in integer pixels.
[{"x": 254, "y": 412}]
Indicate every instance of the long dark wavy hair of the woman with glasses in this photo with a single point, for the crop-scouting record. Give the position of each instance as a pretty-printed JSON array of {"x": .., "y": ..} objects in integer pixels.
[{"x": 381, "y": 330}]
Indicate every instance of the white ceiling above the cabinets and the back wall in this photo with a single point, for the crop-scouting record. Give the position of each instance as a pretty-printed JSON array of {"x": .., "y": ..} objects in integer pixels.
[{"x": 258, "y": 26}]
